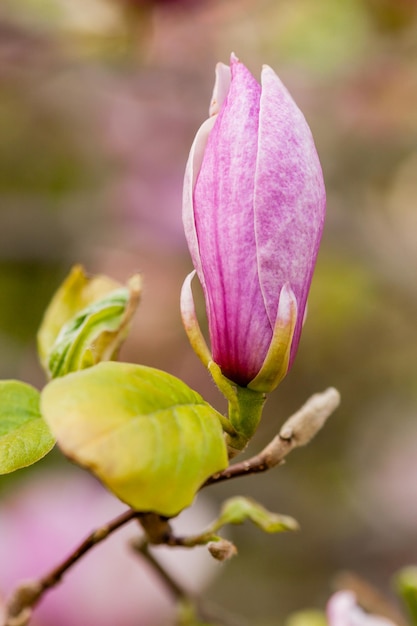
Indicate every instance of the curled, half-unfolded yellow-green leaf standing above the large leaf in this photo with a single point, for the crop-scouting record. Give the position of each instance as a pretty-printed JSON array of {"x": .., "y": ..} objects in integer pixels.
[{"x": 86, "y": 322}]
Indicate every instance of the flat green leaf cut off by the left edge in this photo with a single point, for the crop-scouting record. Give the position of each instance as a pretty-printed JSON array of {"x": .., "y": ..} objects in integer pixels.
[{"x": 24, "y": 436}]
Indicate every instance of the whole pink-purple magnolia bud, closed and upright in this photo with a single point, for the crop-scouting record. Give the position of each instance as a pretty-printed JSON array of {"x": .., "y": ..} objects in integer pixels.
[{"x": 253, "y": 212}]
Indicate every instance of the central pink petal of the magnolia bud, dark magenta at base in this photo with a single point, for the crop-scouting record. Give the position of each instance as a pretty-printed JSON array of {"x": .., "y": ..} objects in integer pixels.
[{"x": 223, "y": 197}]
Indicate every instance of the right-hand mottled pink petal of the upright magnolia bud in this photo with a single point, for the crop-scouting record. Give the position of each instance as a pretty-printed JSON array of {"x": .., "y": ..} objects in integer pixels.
[{"x": 289, "y": 199}]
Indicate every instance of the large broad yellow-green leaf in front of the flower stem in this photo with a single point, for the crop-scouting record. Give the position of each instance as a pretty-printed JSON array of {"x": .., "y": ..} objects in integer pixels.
[{"x": 145, "y": 434}]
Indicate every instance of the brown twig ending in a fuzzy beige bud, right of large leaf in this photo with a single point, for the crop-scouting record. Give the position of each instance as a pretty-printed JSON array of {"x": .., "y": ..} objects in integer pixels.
[{"x": 297, "y": 431}]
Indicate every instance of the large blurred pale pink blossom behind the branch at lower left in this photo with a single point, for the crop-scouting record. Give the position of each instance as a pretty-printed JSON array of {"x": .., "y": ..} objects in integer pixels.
[{"x": 47, "y": 517}]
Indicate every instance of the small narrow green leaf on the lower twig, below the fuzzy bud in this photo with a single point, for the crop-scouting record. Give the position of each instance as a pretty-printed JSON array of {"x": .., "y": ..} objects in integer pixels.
[{"x": 239, "y": 509}]
